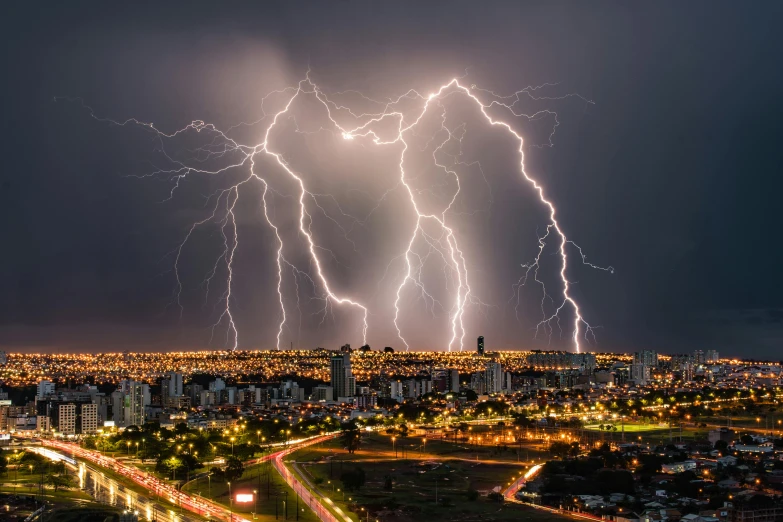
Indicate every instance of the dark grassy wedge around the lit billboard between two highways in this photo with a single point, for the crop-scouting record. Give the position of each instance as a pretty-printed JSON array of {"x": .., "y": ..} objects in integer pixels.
[{"x": 271, "y": 494}]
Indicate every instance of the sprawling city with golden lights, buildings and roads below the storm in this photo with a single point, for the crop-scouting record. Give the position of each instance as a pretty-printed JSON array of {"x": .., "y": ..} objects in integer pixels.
[{"x": 690, "y": 436}]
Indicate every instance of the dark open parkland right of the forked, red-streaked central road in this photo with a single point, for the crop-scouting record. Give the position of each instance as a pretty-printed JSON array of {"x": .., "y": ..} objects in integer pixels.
[{"x": 415, "y": 480}]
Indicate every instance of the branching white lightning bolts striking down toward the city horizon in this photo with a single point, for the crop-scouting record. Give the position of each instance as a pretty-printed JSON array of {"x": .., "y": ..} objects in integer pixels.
[{"x": 432, "y": 228}]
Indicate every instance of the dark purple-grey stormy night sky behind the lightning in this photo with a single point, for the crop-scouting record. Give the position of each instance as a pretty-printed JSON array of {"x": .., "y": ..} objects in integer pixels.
[{"x": 672, "y": 176}]
